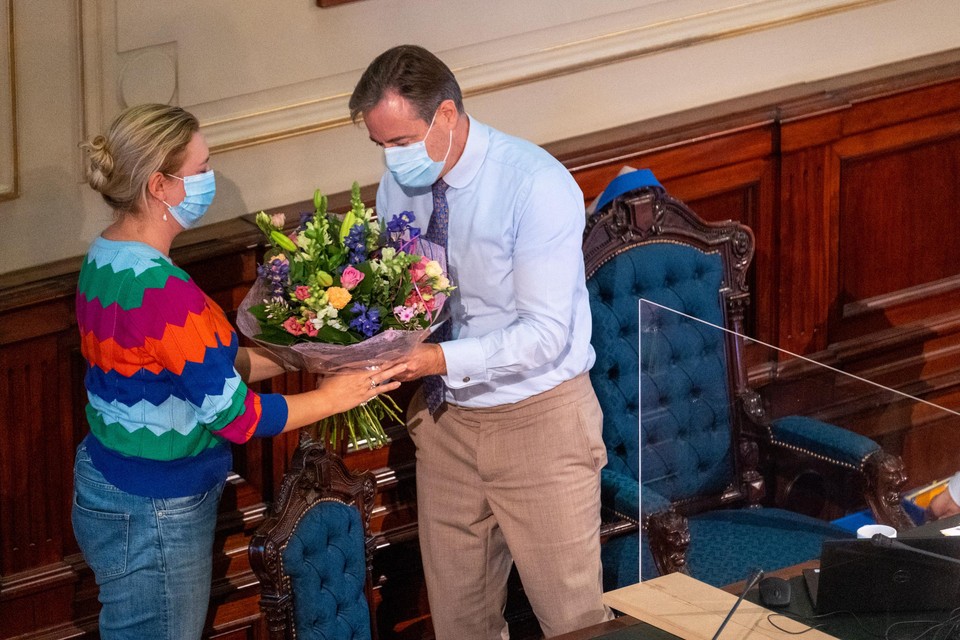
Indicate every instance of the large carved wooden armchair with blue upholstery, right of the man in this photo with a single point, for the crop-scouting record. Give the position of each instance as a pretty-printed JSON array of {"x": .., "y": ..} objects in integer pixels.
[{"x": 708, "y": 451}]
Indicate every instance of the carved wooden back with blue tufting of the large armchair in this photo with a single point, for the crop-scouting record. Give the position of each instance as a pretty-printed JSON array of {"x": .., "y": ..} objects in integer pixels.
[{"x": 648, "y": 245}]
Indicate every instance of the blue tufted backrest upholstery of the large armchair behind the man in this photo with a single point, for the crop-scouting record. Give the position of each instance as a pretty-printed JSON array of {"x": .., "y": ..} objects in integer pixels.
[{"x": 686, "y": 430}]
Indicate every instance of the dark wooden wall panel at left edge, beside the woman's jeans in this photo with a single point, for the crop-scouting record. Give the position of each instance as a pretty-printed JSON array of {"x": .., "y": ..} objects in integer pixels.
[{"x": 34, "y": 518}]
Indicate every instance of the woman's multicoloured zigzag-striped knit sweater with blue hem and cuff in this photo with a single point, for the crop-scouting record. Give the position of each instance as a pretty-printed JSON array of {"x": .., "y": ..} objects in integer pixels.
[{"x": 165, "y": 400}]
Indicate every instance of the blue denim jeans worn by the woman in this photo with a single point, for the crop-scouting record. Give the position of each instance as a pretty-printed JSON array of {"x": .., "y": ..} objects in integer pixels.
[{"x": 152, "y": 557}]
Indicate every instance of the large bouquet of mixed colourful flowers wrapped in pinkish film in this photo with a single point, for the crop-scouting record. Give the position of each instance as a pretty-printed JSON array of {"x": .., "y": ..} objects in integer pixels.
[{"x": 344, "y": 294}]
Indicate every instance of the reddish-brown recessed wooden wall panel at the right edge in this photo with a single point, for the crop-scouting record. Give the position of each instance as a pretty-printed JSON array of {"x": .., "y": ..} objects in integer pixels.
[{"x": 898, "y": 204}]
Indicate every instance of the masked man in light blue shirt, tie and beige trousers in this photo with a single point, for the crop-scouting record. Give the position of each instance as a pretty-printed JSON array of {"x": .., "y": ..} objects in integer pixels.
[{"x": 508, "y": 462}]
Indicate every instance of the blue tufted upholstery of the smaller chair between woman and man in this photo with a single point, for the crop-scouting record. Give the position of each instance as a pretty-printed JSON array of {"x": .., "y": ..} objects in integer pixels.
[{"x": 326, "y": 562}]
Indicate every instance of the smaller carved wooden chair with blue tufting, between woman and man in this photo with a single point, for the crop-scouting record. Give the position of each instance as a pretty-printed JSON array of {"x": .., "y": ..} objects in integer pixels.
[{"x": 312, "y": 554}]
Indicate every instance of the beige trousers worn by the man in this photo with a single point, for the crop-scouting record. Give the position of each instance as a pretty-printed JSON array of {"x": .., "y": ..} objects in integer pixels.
[{"x": 515, "y": 483}]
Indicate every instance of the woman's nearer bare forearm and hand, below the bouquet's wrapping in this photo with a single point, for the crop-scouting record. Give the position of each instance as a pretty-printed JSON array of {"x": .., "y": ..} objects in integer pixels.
[{"x": 338, "y": 393}]
